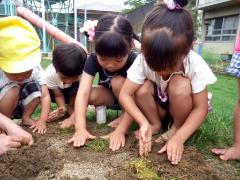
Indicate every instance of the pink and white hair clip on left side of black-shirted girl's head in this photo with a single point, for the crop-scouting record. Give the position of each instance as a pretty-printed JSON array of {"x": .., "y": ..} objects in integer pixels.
[{"x": 89, "y": 29}]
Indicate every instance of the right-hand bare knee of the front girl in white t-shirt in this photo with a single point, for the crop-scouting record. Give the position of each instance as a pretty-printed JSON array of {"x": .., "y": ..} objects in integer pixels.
[{"x": 179, "y": 86}]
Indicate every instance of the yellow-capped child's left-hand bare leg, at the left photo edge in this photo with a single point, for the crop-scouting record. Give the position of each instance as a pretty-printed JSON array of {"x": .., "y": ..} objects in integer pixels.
[{"x": 9, "y": 102}]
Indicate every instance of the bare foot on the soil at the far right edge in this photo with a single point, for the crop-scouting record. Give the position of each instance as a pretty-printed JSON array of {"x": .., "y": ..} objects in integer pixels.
[{"x": 232, "y": 153}]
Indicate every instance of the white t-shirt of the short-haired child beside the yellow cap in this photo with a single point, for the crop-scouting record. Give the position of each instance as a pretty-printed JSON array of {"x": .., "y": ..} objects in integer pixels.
[{"x": 53, "y": 80}]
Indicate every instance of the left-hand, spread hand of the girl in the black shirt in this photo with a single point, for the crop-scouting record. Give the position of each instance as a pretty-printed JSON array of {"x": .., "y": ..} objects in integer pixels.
[{"x": 80, "y": 138}]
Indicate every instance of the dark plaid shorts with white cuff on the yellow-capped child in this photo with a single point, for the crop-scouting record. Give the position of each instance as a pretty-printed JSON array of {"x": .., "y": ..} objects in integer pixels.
[{"x": 28, "y": 92}]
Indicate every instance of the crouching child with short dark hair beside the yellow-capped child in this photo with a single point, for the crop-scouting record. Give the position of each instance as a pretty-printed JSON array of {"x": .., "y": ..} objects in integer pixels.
[{"x": 62, "y": 78}]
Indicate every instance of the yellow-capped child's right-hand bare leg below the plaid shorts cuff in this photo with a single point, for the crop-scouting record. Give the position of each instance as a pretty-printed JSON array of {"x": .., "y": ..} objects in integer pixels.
[{"x": 28, "y": 111}]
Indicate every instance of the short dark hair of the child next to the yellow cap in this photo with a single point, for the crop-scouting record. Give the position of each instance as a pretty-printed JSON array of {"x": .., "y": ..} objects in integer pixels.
[{"x": 69, "y": 59}]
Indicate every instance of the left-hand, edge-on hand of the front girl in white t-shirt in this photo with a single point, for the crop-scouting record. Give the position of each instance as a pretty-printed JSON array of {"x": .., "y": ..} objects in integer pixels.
[{"x": 145, "y": 132}]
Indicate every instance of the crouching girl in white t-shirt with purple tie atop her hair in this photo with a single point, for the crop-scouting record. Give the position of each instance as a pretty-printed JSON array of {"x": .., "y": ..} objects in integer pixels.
[{"x": 180, "y": 75}]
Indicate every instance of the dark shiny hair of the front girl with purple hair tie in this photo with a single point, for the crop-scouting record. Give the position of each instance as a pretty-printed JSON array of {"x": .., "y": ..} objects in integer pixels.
[{"x": 167, "y": 35}]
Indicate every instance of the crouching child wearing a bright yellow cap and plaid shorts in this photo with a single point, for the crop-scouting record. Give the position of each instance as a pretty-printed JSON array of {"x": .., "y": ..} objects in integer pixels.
[{"x": 22, "y": 84}]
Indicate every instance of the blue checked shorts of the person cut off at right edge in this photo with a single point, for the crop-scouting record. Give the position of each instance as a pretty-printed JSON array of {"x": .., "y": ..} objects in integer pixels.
[{"x": 234, "y": 67}]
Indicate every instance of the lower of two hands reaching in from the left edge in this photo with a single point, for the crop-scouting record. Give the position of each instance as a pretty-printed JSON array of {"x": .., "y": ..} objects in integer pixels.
[{"x": 9, "y": 143}]
